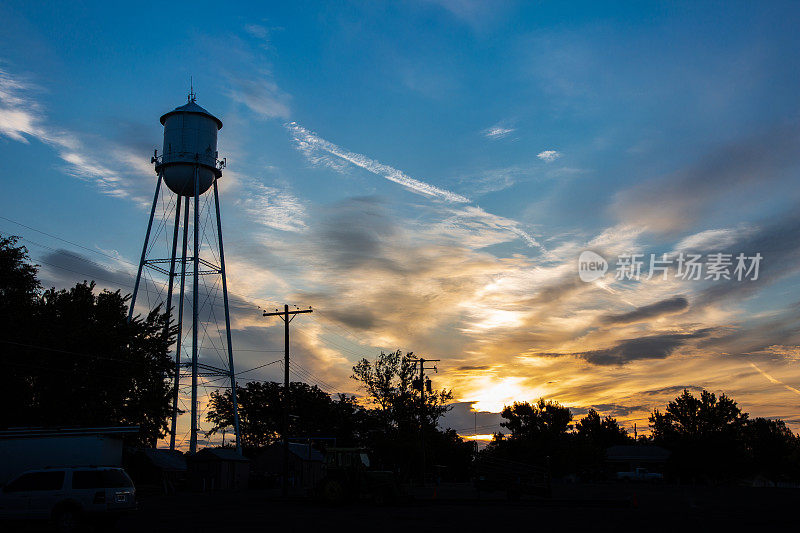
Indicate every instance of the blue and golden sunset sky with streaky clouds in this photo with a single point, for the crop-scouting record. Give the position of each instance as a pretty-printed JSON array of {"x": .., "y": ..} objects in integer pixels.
[{"x": 425, "y": 174}]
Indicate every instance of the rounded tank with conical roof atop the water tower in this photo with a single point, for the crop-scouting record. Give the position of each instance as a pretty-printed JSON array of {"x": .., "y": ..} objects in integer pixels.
[{"x": 190, "y": 143}]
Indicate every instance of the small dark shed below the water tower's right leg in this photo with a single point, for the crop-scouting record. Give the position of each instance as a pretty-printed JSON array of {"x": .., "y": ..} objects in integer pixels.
[{"x": 218, "y": 469}]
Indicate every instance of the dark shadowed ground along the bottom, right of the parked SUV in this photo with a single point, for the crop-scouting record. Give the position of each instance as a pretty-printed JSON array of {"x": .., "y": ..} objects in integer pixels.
[{"x": 451, "y": 507}]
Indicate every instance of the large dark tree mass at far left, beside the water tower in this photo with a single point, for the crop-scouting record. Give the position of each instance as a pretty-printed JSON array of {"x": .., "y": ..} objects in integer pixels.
[{"x": 74, "y": 357}]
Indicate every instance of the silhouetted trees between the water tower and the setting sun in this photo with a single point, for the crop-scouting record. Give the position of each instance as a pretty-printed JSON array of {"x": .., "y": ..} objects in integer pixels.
[{"x": 391, "y": 420}]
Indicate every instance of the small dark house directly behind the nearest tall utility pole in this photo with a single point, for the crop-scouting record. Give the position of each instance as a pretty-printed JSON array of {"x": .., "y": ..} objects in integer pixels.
[{"x": 305, "y": 464}]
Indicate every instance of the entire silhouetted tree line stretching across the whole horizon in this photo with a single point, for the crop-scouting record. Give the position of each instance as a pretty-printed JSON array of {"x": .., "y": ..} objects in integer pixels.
[{"x": 72, "y": 358}]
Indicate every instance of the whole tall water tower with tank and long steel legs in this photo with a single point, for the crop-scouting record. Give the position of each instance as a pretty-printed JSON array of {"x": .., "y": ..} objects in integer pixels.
[{"x": 189, "y": 165}]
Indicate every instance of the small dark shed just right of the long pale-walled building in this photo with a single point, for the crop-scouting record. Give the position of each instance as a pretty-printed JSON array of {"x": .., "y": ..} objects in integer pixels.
[{"x": 163, "y": 470}]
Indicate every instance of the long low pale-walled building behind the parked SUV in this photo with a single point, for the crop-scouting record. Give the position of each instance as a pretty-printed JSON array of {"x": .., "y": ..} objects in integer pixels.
[{"x": 27, "y": 448}]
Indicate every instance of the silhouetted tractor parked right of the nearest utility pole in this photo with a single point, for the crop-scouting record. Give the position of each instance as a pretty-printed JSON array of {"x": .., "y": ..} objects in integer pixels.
[{"x": 348, "y": 477}]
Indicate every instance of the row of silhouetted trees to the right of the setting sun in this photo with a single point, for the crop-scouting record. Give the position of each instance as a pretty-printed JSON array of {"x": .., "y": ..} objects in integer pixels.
[{"x": 709, "y": 437}]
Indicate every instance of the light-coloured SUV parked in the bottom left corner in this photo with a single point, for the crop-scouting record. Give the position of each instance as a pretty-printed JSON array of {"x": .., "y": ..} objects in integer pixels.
[{"x": 68, "y": 495}]
